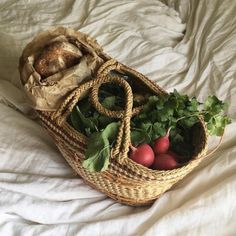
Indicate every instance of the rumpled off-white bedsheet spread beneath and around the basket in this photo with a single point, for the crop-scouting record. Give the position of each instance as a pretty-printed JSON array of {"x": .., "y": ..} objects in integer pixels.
[{"x": 189, "y": 45}]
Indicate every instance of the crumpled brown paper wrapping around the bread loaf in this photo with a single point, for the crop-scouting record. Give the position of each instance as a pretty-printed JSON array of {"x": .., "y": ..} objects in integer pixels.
[{"x": 47, "y": 94}]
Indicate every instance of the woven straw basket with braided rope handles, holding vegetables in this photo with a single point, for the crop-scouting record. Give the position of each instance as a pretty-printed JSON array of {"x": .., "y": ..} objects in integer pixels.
[{"x": 125, "y": 181}]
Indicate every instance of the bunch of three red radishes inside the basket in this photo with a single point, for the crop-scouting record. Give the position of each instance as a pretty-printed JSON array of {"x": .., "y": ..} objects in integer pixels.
[{"x": 159, "y": 157}]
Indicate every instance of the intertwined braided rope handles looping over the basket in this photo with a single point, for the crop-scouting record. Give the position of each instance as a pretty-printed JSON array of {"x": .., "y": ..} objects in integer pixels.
[{"x": 123, "y": 137}]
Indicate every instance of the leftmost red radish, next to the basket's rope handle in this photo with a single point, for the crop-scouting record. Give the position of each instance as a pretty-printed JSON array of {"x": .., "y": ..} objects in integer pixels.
[{"x": 143, "y": 154}]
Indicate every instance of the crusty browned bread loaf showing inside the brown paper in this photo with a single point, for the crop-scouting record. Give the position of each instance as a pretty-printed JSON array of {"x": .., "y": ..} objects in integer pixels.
[{"x": 56, "y": 57}]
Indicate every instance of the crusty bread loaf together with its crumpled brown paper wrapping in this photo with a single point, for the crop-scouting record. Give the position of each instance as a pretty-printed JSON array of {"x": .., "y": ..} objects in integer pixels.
[{"x": 55, "y": 63}]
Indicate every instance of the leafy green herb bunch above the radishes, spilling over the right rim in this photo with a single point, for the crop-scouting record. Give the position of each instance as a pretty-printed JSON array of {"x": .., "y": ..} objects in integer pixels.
[{"x": 181, "y": 114}]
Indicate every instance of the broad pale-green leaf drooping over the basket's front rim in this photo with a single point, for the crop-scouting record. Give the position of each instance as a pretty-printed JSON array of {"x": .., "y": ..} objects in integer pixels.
[{"x": 97, "y": 153}]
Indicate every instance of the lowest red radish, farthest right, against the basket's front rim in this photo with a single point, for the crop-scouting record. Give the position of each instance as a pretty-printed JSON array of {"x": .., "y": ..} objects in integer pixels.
[{"x": 165, "y": 161}]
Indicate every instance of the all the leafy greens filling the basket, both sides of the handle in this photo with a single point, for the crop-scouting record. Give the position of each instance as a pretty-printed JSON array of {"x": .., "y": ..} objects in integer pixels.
[{"x": 158, "y": 114}]
